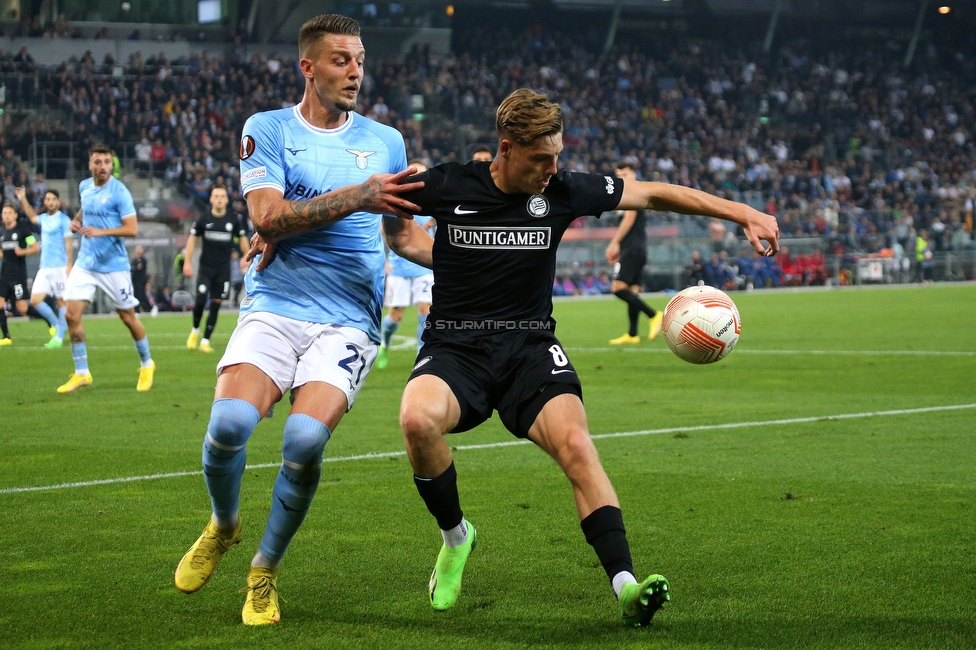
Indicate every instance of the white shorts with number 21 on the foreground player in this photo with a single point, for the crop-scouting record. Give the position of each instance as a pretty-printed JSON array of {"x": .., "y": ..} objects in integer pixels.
[{"x": 293, "y": 352}]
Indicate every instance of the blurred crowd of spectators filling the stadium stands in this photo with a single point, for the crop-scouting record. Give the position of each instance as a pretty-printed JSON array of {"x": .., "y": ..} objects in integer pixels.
[{"x": 842, "y": 143}]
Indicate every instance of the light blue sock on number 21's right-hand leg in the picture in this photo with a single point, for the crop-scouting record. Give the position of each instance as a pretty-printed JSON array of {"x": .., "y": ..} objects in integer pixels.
[{"x": 301, "y": 468}]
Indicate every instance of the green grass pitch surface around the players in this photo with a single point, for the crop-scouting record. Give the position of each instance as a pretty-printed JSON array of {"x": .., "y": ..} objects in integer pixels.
[{"x": 852, "y": 533}]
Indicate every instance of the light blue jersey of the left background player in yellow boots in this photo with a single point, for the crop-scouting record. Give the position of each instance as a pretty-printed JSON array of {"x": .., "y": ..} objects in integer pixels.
[{"x": 104, "y": 207}]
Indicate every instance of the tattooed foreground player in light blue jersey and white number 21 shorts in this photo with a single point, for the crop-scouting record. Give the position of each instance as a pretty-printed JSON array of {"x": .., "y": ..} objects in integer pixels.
[{"x": 310, "y": 321}]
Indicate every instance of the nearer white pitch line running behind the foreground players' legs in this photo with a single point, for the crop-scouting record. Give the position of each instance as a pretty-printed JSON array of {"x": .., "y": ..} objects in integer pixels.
[{"x": 512, "y": 443}]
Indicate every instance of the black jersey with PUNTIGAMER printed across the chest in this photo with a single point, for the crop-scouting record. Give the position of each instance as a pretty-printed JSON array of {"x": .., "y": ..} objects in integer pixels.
[{"x": 495, "y": 253}]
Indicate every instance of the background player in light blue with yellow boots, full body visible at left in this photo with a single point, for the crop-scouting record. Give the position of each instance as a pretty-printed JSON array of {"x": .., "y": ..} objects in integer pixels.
[{"x": 107, "y": 215}]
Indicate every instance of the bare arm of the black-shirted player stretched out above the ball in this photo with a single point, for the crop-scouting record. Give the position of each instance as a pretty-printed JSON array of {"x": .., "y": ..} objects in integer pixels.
[{"x": 758, "y": 226}]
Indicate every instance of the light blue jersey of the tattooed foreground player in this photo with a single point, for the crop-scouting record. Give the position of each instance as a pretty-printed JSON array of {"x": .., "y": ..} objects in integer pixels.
[{"x": 333, "y": 274}]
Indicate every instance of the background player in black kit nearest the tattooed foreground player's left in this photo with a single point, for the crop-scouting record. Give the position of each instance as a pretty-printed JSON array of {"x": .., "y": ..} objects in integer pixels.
[{"x": 218, "y": 229}]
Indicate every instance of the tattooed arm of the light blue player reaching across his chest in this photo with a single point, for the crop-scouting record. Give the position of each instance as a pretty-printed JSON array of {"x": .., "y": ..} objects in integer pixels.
[{"x": 276, "y": 218}]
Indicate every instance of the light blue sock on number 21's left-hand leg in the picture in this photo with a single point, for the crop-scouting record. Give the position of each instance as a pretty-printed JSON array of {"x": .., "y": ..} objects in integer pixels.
[{"x": 224, "y": 452}]
